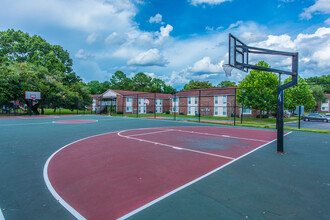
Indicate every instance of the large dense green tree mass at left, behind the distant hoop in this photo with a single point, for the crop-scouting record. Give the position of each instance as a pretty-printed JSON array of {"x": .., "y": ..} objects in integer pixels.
[{"x": 30, "y": 63}]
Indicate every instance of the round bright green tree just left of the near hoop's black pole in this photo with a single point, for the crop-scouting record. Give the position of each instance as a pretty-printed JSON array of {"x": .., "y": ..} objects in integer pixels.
[{"x": 260, "y": 89}]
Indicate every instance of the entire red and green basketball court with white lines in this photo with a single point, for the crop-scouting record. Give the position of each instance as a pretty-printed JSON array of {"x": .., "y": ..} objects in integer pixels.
[{"x": 98, "y": 167}]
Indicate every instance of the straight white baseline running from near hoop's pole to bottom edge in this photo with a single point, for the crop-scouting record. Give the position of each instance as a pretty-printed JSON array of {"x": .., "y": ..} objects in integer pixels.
[{"x": 190, "y": 183}]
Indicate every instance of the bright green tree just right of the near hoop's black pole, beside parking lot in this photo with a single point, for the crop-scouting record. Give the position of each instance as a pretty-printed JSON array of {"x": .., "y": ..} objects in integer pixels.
[{"x": 300, "y": 94}]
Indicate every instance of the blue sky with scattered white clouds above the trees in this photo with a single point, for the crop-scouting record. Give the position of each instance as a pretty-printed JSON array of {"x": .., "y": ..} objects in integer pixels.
[{"x": 175, "y": 40}]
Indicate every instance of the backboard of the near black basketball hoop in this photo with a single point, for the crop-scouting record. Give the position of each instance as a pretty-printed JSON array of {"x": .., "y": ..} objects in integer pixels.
[{"x": 238, "y": 54}]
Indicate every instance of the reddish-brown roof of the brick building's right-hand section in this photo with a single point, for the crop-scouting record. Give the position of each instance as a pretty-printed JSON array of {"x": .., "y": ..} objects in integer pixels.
[{"x": 207, "y": 92}]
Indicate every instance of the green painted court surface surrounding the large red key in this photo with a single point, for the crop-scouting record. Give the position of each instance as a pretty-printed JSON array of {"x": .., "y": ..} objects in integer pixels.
[{"x": 261, "y": 185}]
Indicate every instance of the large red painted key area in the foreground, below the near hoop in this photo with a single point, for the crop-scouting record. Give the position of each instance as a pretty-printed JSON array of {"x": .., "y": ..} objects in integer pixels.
[{"x": 109, "y": 176}]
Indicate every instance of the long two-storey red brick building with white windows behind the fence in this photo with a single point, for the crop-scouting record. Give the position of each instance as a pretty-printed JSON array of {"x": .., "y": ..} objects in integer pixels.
[{"x": 206, "y": 102}]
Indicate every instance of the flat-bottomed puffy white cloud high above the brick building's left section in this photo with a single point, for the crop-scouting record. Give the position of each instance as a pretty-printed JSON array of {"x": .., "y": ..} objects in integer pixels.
[{"x": 151, "y": 57}]
